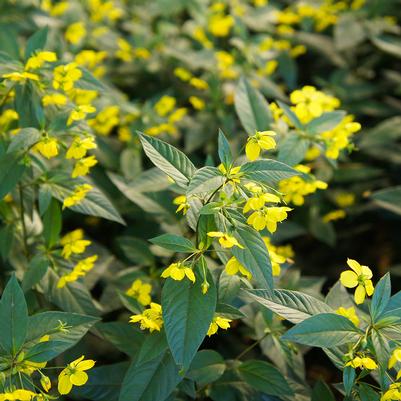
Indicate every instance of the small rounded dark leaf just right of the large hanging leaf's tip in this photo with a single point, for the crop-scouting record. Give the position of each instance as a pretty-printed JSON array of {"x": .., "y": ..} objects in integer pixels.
[{"x": 206, "y": 367}]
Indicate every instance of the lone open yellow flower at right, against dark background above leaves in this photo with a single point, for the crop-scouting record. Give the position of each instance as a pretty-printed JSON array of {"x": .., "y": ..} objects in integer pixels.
[{"x": 358, "y": 277}]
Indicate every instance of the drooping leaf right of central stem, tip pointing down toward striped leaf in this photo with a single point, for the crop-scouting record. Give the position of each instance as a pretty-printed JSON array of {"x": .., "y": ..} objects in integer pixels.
[{"x": 254, "y": 256}]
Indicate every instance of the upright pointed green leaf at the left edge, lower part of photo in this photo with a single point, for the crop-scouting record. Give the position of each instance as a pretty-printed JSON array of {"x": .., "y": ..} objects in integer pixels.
[{"x": 13, "y": 318}]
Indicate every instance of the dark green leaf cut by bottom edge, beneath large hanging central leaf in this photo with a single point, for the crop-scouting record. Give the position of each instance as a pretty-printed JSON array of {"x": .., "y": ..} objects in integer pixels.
[{"x": 151, "y": 380}]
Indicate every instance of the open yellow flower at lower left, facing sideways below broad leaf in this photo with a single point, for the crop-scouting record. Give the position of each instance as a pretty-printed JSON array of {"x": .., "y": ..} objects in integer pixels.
[{"x": 74, "y": 374}]
